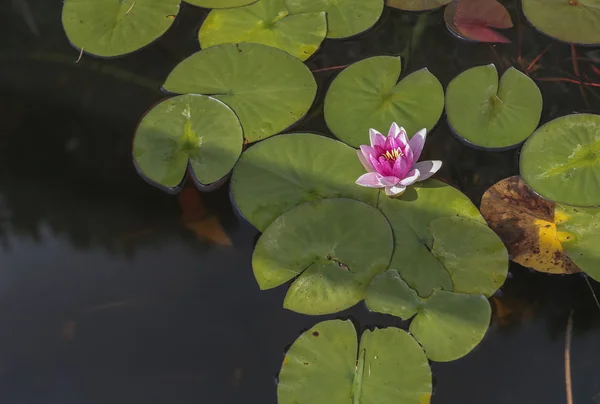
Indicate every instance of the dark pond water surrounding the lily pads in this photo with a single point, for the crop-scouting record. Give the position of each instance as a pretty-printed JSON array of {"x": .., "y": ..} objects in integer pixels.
[{"x": 107, "y": 296}]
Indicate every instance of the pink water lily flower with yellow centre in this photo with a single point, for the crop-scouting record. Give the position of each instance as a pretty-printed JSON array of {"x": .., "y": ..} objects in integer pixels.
[{"x": 392, "y": 162}]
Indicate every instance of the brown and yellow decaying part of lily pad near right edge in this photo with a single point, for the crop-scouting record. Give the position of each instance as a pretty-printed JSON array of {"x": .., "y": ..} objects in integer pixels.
[{"x": 525, "y": 223}]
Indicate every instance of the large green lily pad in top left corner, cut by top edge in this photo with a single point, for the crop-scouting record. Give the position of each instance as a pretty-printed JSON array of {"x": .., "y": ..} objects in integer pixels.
[{"x": 109, "y": 28}]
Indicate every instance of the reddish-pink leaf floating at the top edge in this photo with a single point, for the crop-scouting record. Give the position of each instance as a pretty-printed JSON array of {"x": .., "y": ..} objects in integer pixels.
[{"x": 475, "y": 18}]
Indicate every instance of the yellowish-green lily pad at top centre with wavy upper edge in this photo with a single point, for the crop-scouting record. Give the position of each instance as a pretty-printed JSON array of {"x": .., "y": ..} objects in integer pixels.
[{"x": 266, "y": 22}]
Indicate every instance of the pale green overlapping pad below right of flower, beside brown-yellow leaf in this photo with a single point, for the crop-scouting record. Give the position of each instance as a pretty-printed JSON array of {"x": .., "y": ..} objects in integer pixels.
[{"x": 474, "y": 256}]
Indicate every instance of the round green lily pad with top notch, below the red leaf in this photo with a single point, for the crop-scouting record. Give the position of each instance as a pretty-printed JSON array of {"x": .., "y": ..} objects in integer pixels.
[{"x": 491, "y": 115}]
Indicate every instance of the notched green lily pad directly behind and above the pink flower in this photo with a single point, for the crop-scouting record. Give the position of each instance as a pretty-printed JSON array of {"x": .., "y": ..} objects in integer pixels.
[{"x": 368, "y": 95}]
